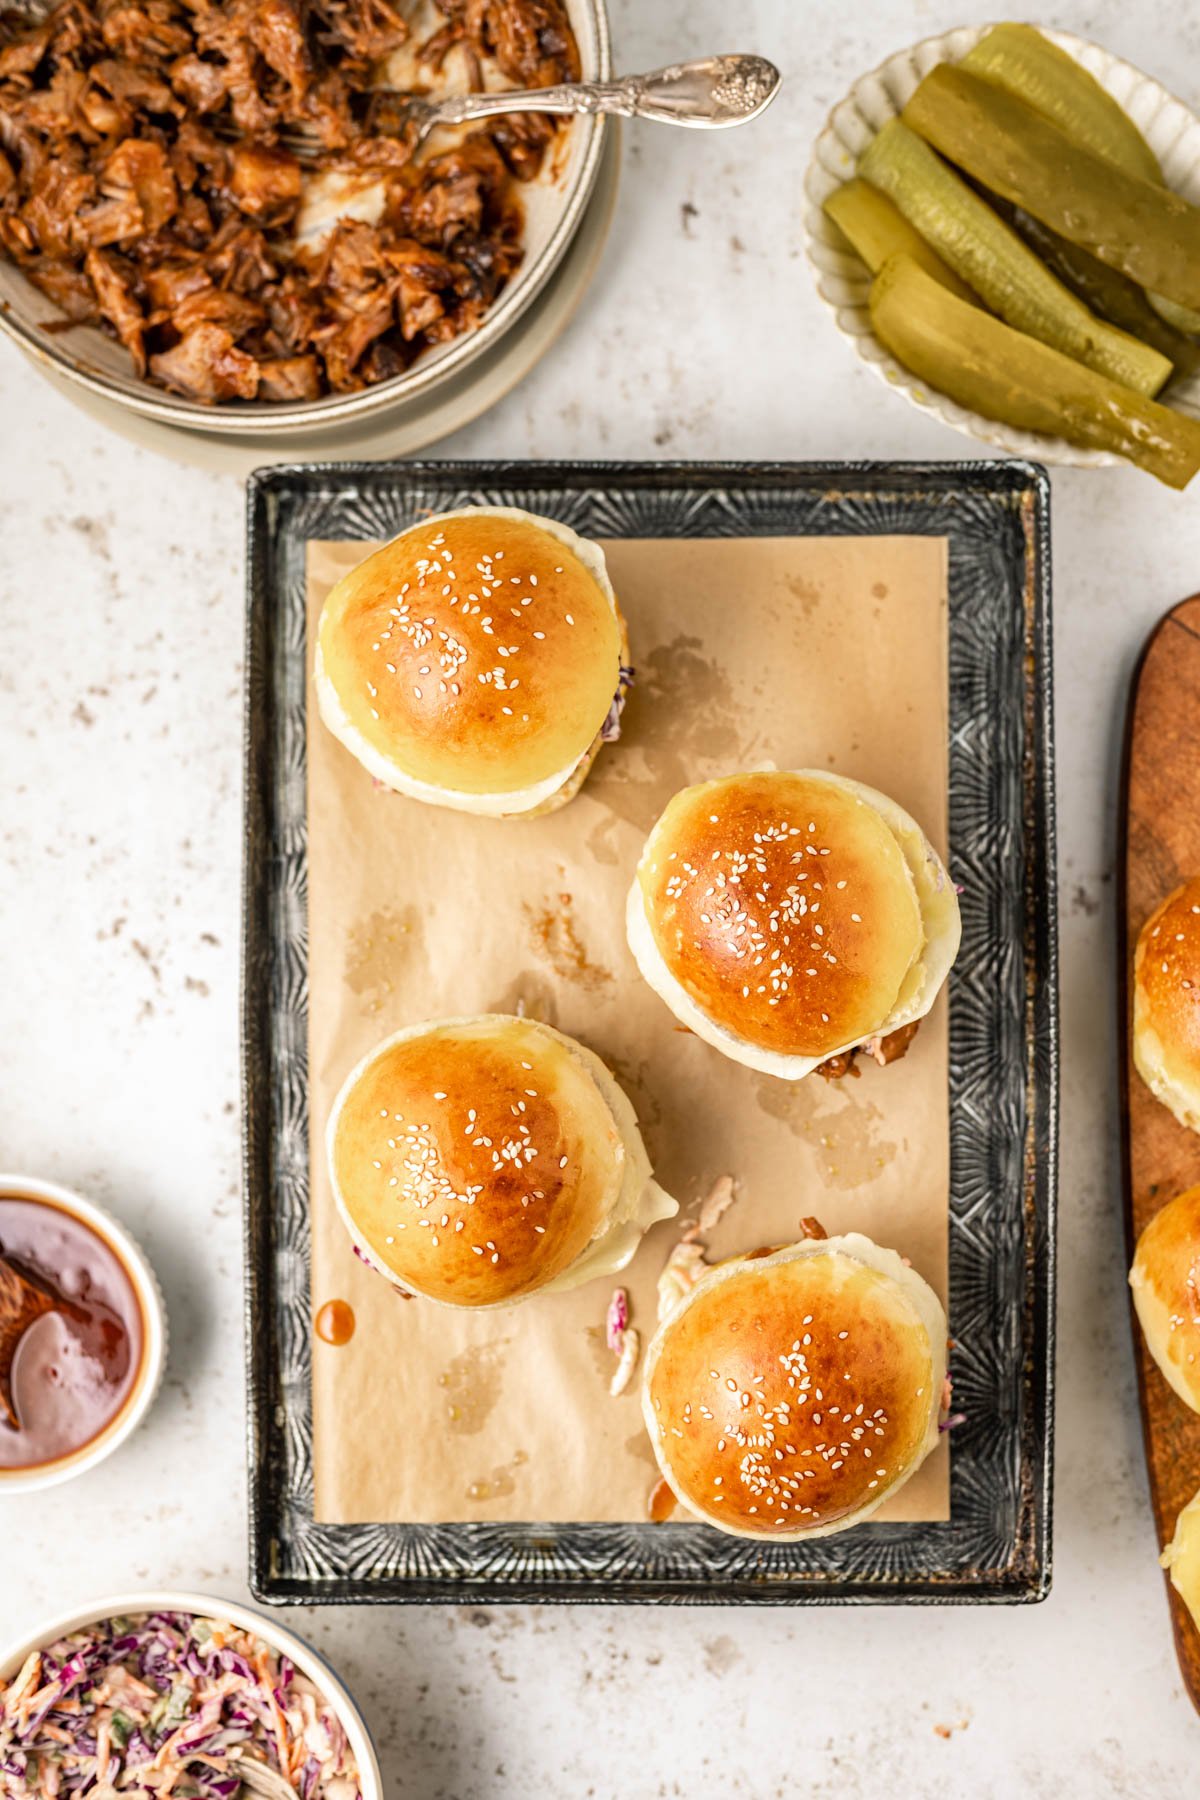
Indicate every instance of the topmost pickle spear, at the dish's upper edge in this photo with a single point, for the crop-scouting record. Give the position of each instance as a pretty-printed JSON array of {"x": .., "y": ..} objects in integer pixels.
[{"x": 1021, "y": 60}]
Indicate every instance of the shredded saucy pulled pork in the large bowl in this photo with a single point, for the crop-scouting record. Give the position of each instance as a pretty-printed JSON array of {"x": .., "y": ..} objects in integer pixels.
[{"x": 145, "y": 190}]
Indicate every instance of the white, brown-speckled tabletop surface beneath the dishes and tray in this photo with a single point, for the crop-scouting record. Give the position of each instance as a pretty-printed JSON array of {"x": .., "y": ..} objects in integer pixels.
[{"x": 120, "y": 703}]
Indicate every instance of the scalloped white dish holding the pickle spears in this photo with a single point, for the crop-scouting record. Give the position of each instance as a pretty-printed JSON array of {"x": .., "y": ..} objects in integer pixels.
[{"x": 843, "y": 280}]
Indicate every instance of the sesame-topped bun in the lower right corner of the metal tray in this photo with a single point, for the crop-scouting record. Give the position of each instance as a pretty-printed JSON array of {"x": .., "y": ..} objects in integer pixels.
[{"x": 789, "y": 1396}]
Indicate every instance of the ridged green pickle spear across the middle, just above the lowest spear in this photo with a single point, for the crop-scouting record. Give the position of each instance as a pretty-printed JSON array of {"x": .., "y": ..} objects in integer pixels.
[{"x": 996, "y": 264}]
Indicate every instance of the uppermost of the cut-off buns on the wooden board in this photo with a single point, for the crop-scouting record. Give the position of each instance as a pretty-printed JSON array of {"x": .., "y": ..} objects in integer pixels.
[{"x": 1167, "y": 1003}]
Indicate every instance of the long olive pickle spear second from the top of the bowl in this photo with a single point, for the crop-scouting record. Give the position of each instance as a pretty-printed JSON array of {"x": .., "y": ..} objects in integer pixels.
[{"x": 1145, "y": 231}]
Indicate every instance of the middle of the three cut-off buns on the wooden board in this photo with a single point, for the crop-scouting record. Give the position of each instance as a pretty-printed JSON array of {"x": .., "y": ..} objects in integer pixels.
[{"x": 1167, "y": 1293}]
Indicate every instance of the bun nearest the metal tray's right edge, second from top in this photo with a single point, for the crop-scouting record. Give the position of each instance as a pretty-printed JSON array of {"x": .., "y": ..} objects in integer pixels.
[{"x": 789, "y": 915}]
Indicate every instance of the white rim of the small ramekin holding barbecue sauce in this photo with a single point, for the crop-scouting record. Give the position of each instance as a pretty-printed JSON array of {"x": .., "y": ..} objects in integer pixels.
[{"x": 152, "y": 1308}]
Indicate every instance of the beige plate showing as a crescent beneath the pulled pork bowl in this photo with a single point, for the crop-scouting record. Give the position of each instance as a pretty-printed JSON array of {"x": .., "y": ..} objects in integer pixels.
[{"x": 407, "y": 426}]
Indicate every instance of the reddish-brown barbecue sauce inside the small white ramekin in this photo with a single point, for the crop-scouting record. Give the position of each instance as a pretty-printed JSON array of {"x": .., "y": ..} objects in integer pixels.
[{"x": 76, "y": 1365}]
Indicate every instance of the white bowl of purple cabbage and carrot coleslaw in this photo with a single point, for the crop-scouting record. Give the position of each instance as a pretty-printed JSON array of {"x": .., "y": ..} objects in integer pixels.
[{"x": 170, "y": 1693}]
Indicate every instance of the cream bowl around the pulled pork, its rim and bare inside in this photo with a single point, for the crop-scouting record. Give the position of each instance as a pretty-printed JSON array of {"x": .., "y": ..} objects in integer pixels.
[{"x": 555, "y": 206}]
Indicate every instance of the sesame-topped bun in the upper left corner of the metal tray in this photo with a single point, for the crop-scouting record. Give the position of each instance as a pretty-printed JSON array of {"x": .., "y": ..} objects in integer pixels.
[{"x": 472, "y": 661}]
